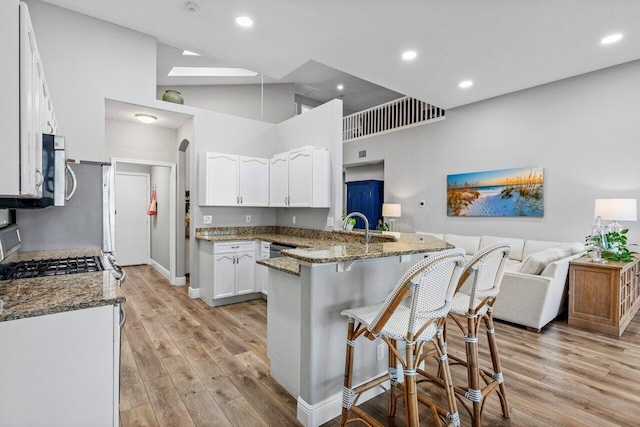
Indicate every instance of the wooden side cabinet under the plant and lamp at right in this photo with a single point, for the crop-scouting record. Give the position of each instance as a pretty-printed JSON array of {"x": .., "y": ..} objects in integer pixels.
[{"x": 603, "y": 297}]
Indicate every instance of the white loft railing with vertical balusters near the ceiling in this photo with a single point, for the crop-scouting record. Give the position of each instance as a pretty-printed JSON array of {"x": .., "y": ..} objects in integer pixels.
[{"x": 394, "y": 115}]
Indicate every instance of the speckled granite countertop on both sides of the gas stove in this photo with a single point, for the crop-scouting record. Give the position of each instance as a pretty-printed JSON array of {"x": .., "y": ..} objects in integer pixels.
[{"x": 56, "y": 294}]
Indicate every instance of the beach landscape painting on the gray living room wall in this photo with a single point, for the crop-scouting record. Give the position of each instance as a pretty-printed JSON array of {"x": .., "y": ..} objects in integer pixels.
[{"x": 505, "y": 192}]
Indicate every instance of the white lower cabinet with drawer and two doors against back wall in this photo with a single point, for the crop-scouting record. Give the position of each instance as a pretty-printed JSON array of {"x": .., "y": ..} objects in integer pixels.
[{"x": 227, "y": 270}]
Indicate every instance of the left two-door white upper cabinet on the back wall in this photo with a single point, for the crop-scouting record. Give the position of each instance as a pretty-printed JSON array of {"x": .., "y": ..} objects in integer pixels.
[{"x": 232, "y": 180}]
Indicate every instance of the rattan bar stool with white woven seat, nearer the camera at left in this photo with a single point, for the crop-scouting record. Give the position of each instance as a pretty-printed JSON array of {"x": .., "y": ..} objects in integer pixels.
[{"x": 430, "y": 284}]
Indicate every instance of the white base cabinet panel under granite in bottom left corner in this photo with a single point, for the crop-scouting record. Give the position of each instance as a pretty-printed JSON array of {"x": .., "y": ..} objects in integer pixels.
[{"x": 61, "y": 369}]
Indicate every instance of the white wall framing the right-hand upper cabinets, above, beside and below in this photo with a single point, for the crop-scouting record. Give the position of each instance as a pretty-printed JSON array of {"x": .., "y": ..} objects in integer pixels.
[{"x": 320, "y": 127}]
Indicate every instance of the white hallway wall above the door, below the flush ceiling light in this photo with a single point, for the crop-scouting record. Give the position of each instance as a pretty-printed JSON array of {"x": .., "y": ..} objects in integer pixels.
[{"x": 139, "y": 141}]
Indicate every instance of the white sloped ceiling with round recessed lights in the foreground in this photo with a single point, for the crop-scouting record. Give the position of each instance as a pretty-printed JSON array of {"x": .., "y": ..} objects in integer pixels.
[{"x": 502, "y": 45}]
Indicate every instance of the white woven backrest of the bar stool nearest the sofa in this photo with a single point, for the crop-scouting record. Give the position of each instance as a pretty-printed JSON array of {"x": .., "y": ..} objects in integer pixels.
[{"x": 485, "y": 270}]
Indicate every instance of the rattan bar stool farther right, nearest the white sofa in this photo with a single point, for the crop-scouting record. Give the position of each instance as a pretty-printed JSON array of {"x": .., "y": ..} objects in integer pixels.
[{"x": 477, "y": 291}]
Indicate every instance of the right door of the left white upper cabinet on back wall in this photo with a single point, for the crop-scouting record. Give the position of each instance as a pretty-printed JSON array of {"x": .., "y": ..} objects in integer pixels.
[{"x": 254, "y": 181}]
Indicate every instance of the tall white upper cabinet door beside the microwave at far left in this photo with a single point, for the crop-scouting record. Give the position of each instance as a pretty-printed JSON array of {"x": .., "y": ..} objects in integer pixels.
[{"x": 30, "y": 172}]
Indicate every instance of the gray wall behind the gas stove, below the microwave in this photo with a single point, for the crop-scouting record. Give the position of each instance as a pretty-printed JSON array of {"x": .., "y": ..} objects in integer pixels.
[{"x": 77, "y": 225}]
